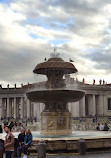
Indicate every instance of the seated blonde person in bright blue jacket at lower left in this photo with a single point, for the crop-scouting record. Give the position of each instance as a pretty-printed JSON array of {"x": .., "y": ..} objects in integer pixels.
[{"x": 27, "y": 142}]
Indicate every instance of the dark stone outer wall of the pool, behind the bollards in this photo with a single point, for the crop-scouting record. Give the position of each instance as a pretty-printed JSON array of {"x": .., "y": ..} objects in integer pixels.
[{"x": 72, "y": 145}]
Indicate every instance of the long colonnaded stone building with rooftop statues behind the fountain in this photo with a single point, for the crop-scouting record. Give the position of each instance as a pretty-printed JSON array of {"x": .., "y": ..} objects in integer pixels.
[{"x": 96, "y": 102}]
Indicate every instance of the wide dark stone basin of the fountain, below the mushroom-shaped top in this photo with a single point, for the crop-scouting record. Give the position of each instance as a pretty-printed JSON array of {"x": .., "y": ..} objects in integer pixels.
[{"x": 44, "y": 96}]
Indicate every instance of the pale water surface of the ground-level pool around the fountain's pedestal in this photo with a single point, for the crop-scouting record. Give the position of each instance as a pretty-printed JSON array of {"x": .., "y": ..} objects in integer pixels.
[{"x": 75, "y": 135}]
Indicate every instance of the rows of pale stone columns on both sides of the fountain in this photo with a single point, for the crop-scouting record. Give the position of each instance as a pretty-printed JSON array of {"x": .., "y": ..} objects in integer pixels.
[{"x": 21, "y": 107}]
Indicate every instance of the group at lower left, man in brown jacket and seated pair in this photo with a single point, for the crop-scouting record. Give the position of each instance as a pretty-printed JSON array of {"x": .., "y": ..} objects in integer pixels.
[{"x": 21, "y": 144}]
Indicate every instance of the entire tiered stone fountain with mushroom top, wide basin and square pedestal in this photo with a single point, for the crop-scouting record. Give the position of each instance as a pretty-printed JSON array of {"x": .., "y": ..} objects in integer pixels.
[{"x": 55, "y": 118}]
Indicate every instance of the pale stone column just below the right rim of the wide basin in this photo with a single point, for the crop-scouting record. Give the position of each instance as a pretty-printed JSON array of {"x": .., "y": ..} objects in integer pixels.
[{"x": 82, "y": 107}]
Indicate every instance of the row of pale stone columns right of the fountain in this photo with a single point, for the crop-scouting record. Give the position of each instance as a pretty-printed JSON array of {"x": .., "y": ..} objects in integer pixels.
[{"x": 90, "y": 105}]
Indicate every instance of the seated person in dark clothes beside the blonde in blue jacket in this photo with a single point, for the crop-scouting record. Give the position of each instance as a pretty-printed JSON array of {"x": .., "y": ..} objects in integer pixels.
[{"x": 21, "y": 137}]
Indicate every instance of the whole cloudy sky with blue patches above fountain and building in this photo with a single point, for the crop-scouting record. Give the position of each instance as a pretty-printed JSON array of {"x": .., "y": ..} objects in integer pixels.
[{"x": 30, "y": 29}]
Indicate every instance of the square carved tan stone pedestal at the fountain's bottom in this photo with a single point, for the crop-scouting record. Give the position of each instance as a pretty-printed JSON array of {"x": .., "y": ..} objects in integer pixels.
[{"x": 56, "y": 123}]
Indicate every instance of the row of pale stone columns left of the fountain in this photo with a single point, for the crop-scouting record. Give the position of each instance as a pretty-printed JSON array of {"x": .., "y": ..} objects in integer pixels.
[{"x": 16, "y": 107}]
